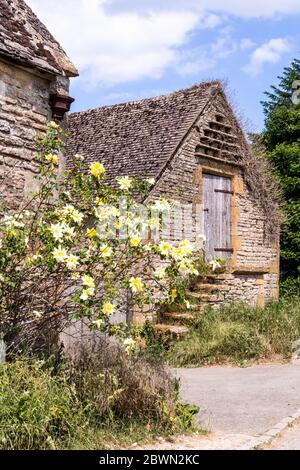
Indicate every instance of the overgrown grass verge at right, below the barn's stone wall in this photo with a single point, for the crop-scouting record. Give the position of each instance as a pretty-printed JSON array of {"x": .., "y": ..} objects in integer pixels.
[{"x": 238, "y": 332}]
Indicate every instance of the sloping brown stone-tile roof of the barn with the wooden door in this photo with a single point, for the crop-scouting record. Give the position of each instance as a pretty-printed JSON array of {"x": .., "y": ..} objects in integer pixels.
[{"x": 137, "y": 138}]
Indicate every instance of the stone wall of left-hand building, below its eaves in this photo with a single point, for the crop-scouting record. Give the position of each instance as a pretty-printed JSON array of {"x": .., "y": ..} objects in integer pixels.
[{"x": 24, "y": 112}]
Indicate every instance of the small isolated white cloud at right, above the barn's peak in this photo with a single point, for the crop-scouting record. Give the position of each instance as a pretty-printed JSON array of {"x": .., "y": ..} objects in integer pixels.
[{"x": 269, "y": 52}]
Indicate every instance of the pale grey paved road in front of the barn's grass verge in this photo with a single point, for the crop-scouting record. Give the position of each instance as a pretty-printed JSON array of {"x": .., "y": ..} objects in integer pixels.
[{"x": 245, "y": 401}]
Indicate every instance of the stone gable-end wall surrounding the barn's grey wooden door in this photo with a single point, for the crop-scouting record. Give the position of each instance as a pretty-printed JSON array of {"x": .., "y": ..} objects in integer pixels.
[{"x": 254, "y": 265}]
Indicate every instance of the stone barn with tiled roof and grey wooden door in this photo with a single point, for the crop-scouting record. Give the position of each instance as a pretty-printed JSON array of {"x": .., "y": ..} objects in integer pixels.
[{"x": 192, "y": 145}]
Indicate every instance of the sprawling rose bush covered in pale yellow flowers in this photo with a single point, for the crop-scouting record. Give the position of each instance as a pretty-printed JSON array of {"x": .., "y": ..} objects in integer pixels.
[{"x": 79, "y": 248}]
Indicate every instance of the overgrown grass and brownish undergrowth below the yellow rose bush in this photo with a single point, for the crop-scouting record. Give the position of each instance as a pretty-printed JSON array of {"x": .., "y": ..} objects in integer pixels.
[{"x": 103, "y": 399}]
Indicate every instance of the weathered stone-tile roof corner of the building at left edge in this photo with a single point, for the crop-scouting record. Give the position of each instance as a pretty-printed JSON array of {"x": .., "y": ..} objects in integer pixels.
[{"x": 25, "y": 39}]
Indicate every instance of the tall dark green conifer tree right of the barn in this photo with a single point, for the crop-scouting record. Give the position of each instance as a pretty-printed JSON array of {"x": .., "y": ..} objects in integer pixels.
[{"x": 281, "y": 138}]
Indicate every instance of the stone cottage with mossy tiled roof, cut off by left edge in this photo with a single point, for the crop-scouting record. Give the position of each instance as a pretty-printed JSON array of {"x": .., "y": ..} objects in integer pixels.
[{"x": 34, "y": 88}]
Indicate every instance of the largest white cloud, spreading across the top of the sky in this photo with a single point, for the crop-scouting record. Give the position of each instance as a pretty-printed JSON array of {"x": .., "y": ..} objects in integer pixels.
[{"x": 118, "y": 41}]
